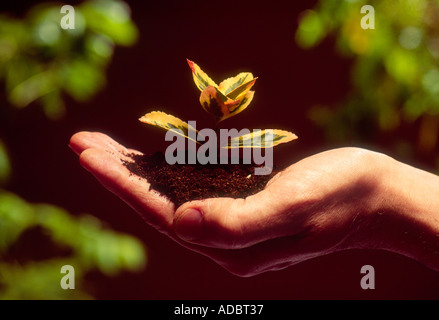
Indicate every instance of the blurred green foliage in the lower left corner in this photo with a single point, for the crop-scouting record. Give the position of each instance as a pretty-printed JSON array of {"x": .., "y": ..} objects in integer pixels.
[{"x": 81, "y": 242}]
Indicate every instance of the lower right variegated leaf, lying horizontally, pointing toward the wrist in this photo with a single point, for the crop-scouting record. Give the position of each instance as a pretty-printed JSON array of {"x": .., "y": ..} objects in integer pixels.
[{"x": 267, "y": 138}]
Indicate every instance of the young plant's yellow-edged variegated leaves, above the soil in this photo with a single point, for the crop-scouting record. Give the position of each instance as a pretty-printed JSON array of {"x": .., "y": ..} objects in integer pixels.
[{"x": 222, "y": 101}]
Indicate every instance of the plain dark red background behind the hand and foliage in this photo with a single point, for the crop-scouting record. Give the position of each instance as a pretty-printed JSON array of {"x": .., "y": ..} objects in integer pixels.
[{"x": 224, "y": 38}]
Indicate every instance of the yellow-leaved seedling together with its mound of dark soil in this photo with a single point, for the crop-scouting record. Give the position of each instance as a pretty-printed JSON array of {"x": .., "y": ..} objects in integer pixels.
[{"x": 238, "y": 170}]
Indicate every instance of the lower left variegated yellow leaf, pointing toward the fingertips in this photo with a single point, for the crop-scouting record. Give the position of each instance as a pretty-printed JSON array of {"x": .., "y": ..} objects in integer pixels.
[{"x": 171, "y": 123}]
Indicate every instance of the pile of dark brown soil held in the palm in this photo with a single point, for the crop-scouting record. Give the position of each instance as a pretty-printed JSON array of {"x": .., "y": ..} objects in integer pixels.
[{"x": 186, "y": 182}]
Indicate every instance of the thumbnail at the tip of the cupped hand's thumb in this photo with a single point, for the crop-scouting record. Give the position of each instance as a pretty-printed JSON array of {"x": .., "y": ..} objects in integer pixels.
[{"x": 189, "y": 225}]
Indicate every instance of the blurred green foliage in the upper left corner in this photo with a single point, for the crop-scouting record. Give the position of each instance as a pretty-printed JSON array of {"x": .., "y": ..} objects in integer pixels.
[{"x": 39, "y": 60}]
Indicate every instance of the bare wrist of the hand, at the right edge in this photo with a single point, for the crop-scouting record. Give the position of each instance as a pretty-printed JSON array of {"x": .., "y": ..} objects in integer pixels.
[{"x": 405, "y": 212}]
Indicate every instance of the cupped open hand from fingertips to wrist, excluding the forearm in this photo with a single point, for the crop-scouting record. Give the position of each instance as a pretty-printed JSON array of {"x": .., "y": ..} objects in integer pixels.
[{"x": 307, "y": 210}]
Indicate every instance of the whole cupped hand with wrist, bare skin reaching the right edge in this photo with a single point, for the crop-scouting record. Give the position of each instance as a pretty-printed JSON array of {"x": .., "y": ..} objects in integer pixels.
[{"x": 336, "y": 200}]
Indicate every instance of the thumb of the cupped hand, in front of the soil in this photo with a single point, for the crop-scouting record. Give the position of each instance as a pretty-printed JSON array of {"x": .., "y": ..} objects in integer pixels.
[{"x": 232, "y": 223}]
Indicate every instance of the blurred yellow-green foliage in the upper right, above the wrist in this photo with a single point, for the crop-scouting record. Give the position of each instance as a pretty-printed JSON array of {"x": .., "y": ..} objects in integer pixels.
[{"x": 395, "y": 68}]
